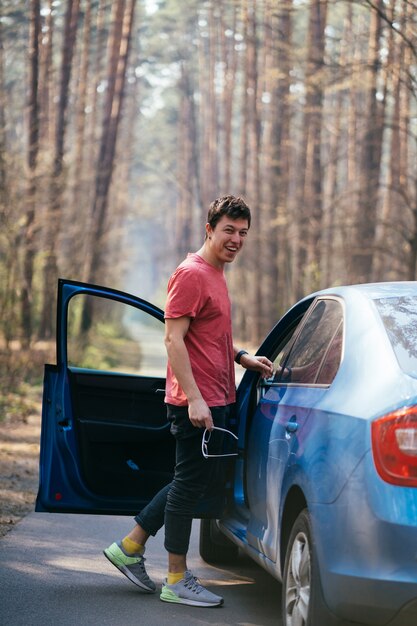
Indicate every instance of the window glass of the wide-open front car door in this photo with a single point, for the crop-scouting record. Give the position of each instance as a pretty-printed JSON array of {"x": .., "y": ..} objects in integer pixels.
[{"x": 120, "y": 338}]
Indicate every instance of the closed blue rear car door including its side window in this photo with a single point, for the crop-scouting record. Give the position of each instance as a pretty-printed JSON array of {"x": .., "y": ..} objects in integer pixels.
[{"x": 278, "y": 428}]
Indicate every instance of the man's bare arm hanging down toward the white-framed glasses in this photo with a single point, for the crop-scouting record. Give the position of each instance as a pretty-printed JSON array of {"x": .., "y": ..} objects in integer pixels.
[{"x": 175, "y": 332}]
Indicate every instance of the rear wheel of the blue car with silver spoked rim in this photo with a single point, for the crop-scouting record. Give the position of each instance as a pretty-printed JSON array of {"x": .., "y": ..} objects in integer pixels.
[{"x": 302, "y": 599}]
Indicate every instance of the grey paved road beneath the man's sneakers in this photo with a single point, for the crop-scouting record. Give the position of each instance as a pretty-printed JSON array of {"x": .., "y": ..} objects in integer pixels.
[{"x": 52, "y": 572}]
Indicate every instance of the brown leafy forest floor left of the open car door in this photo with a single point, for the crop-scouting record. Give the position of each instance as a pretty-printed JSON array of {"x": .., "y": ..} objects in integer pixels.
[{"x": 19, "y": 462}]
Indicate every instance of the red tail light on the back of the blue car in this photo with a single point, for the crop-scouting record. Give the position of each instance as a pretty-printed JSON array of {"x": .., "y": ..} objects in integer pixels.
[{"x": 394, "y": 446}]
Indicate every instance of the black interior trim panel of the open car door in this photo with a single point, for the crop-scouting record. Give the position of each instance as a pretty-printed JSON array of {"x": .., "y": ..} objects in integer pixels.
[{"x": 121, "y": 426}]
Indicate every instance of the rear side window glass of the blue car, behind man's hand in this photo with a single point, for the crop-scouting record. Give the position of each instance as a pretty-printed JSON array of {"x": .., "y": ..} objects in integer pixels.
[{"x": 313, "y": 343}]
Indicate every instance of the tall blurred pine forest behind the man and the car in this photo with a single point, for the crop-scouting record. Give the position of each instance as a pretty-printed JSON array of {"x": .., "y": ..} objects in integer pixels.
[{"x": 121, "y": 120}]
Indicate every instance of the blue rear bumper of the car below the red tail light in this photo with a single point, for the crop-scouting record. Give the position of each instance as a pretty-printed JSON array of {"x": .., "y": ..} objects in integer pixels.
[{"x": 379, "y": 559}]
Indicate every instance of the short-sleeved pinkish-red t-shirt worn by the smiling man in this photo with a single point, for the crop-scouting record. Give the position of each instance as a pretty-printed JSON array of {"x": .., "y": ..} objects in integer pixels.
[{"x": 199, "y": 291}]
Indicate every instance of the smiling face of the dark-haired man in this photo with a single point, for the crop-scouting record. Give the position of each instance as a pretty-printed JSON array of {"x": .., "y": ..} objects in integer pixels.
[{"x": 227, "y": 238}]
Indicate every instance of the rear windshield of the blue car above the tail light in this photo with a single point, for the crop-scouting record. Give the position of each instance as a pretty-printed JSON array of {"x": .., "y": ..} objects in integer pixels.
[{"x": 400, "y": 320}]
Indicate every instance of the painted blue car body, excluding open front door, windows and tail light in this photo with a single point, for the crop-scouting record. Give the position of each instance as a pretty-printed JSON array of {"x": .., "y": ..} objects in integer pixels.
[{"x": 323, "y": 458}]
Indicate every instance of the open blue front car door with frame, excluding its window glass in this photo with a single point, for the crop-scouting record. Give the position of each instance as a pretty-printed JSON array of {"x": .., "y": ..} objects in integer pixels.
[{"x": 106, "y": 446}]
